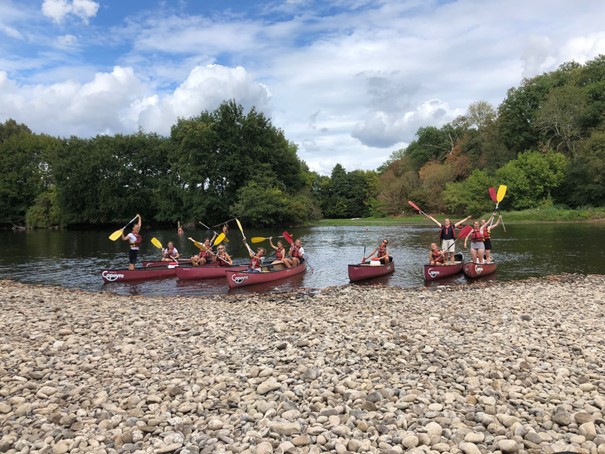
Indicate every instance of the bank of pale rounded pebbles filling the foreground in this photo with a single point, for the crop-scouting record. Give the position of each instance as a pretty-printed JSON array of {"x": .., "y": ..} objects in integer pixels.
[{"x": 508, "y": 368}]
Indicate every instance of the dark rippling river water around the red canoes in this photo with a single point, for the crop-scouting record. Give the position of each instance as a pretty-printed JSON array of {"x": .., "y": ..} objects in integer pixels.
[{"x": 75, "y": 259}]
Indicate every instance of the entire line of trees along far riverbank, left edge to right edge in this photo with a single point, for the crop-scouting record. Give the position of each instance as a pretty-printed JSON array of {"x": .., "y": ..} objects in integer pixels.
[{"x": 546, "y": 142}]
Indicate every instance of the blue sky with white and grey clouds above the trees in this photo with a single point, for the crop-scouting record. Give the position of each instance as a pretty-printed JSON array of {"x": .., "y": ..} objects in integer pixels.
[{"x": 349, "y": 82}]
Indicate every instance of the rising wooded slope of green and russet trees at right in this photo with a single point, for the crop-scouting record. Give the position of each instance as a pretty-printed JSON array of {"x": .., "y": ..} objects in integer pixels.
[{"x": 546, "y": 142}]
